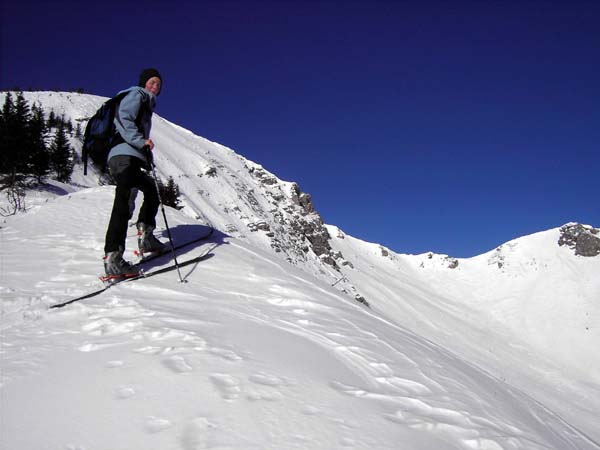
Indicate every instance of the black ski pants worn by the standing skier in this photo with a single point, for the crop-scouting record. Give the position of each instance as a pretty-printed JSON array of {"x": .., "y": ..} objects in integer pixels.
[{"x": 128, "y": 174}]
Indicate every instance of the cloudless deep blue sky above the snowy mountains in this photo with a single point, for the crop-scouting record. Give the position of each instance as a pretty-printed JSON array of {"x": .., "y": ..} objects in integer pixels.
[{"x": 450, "y": 126}]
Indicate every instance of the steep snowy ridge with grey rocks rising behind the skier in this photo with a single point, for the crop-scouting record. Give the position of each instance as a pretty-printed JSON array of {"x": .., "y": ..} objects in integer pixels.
[{"x": 234, "y": 194}]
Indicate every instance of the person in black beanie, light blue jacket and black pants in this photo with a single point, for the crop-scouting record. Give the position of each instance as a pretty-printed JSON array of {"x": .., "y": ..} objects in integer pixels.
[{"x": 127, "y": 161}]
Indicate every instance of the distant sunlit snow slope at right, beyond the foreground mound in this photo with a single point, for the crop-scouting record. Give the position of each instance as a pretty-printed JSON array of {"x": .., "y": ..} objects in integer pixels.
[{"x": 529, "y": 312}]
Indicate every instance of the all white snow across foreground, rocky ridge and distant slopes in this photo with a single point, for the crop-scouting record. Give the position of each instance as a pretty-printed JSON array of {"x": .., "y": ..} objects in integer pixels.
[{"x": 257, "y": 350}]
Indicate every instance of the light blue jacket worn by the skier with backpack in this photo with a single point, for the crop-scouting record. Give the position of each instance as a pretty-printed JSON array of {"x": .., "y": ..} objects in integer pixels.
[{"x": 133, "y": 121}]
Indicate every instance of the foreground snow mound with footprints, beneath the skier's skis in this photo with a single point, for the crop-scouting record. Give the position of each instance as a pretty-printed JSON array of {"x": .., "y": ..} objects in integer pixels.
[{"x": 251, "y": 353}]
